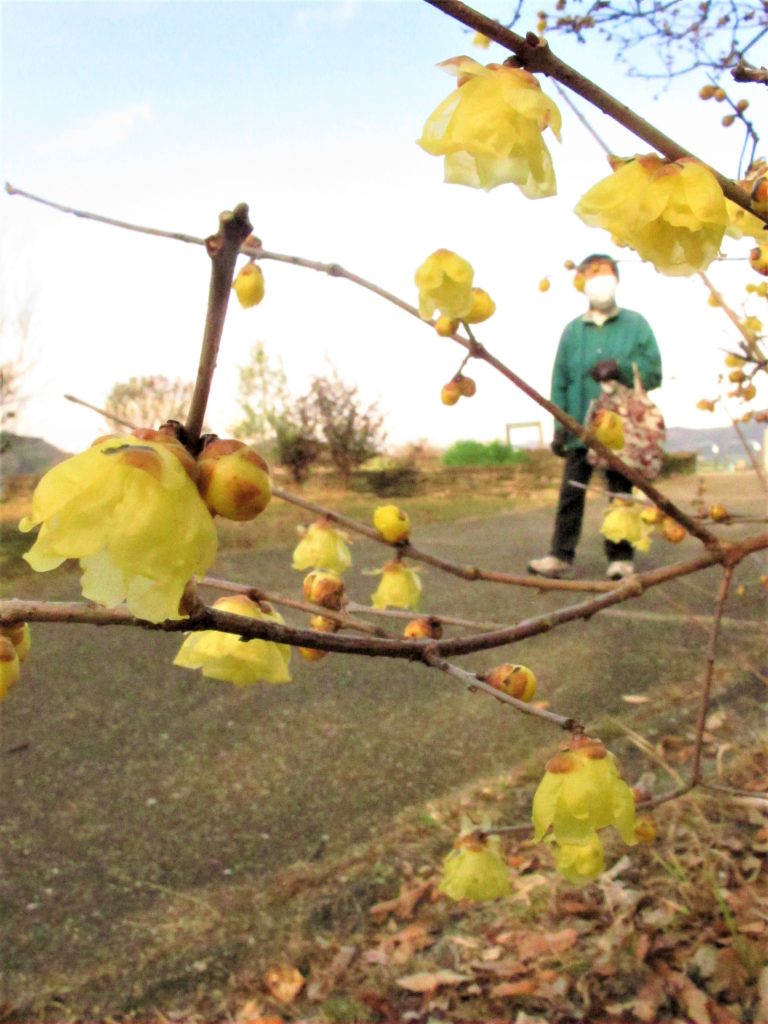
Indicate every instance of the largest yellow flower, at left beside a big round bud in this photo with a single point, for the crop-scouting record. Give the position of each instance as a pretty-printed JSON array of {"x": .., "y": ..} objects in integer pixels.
[{"x": 127, "y": 509}]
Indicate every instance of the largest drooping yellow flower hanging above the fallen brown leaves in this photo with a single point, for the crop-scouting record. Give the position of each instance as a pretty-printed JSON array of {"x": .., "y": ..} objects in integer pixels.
[{"x": 581, "y": 793}]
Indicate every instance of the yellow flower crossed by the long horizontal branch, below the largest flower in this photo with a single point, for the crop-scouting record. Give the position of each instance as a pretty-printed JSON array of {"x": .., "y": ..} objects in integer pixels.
[{"x": 225, "y": 656}]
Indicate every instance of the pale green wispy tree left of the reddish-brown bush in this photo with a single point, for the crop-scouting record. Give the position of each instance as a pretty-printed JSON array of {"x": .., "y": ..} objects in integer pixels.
[{"x": 263, "y": 396}]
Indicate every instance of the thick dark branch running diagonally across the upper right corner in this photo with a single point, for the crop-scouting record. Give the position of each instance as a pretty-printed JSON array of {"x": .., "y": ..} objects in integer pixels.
[{"x": 535, "y": 55}]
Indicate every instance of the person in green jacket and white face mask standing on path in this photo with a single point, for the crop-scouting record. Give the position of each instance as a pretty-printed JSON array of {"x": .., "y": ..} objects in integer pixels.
[{"x": 602, "y": 346}]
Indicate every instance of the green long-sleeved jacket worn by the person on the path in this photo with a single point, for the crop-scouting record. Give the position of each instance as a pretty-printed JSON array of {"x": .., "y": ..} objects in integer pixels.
[{"x": 627, "y": 337}]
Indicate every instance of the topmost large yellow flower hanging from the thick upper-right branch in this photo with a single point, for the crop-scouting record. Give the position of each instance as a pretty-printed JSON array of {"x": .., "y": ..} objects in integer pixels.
[{"x": 490, "y": 130}]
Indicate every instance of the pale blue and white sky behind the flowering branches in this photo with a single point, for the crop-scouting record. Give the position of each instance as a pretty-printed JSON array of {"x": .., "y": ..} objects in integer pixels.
[{"x": 166, "y": 113}]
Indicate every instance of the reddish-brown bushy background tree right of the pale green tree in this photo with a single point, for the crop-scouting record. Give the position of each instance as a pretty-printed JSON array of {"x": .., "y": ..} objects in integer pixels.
[{"x": 353, "y": 434}]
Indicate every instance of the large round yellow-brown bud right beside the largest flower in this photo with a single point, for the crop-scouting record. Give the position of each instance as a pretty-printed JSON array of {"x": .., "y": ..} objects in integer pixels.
[{"x": 234, "y": 481}]
